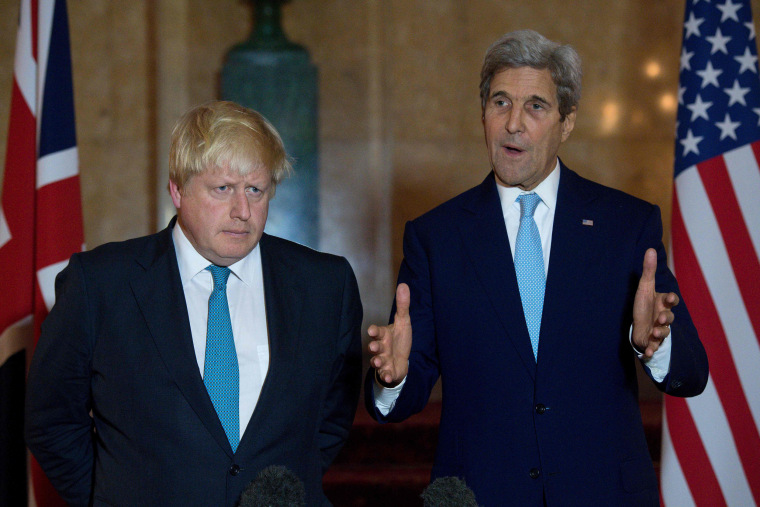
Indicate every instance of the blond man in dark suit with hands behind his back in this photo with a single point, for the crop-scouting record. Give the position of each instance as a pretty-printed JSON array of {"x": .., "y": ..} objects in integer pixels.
[{"x": 174, "y": 367}]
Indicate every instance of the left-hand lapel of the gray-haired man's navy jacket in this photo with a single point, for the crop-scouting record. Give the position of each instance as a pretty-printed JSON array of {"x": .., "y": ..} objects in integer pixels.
[{"x": 484, "y": 235}]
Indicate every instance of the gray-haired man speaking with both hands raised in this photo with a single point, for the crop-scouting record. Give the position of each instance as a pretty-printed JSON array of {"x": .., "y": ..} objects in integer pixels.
[{"x": 532, "y": 296}]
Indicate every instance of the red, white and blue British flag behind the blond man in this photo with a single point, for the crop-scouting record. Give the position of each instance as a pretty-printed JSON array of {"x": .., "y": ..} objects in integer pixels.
[{"x": 40, "y": 221}]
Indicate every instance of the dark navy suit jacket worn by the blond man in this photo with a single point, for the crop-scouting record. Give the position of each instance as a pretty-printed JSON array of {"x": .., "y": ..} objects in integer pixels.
[{"x": 117, "y": 343}]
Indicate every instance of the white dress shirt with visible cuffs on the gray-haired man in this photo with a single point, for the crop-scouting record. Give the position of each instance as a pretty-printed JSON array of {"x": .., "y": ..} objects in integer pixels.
[{"x": 658, "y": 364}]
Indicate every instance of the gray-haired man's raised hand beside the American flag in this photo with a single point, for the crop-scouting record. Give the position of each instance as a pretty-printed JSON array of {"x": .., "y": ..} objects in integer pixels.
[{"x": 652, "y": 313}]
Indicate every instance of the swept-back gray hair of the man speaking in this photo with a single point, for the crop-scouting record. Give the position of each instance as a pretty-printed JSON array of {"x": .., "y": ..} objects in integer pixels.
[{"x": 527, "y": 48}]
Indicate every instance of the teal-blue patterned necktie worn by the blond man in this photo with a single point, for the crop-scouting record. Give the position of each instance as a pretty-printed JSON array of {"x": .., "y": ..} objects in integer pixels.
[{"x": 220, "y": 372}]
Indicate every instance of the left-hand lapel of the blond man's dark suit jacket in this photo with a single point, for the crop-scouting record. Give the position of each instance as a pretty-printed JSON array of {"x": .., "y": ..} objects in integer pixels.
[{"x": 165, "y": 313}]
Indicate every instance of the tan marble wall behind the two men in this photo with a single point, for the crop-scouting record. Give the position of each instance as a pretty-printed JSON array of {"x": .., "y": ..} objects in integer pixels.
[{"x": 399, "y": 114}]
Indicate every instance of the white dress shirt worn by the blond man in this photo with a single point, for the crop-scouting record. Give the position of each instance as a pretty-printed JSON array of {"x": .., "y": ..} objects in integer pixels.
[{"x": 245, "y": 295}]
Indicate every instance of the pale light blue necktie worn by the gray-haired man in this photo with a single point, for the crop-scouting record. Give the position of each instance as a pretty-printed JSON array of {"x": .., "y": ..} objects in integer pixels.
[{"x": 529, "y": 266}]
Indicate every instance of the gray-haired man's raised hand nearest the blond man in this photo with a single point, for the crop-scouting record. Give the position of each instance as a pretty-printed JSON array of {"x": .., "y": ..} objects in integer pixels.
[{"x": 390, "y": 345}]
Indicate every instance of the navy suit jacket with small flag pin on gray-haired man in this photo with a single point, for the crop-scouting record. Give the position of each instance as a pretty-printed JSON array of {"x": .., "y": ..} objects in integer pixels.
[{"x": 565, "y": 430}]
